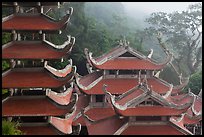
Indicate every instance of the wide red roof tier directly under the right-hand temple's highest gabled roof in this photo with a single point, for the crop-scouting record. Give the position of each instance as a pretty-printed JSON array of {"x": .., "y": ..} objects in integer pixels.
[{"x": 119, "y": 85}]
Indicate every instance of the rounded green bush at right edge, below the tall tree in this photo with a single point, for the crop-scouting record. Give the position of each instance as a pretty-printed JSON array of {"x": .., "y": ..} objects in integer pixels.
[{"x": 195, "y": 83}]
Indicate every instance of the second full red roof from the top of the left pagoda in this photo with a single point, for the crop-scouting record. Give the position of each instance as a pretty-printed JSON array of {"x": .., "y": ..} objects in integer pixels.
[{"x": 35, "y": 50}]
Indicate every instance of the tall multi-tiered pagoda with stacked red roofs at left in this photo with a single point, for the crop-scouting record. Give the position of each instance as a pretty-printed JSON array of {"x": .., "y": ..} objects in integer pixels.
[{"x": 42, "y": 98}]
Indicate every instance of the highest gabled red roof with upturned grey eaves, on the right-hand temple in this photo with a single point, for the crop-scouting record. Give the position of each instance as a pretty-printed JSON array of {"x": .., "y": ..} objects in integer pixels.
[{"x": 109, "y": 60}]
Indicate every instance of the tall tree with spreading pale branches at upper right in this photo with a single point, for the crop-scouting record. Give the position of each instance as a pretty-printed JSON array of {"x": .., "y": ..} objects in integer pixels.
[{"x": 182, "y": 31}]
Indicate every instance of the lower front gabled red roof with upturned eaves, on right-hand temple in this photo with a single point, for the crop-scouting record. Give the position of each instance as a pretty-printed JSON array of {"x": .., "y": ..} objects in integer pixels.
[{"x": 127, "y": 103}]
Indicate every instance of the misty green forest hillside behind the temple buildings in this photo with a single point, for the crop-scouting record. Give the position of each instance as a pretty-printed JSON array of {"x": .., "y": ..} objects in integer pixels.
[{"x": 99, "y": 26}]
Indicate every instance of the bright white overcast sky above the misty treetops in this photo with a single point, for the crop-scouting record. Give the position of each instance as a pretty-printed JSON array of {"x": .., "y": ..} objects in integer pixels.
[{"x": 149, "y": 7}]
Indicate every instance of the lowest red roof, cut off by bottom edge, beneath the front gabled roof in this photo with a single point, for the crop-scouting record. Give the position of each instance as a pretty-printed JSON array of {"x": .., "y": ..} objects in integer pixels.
[{"x": 122, "y": 126}]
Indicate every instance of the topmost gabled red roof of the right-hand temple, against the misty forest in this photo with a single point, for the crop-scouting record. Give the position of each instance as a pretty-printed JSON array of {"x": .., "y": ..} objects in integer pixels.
[{"x": 117, "y": 60}]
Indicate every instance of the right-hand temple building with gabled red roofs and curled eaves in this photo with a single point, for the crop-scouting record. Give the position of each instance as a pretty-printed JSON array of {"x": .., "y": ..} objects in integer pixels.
[{"x": 127, "y": 97}]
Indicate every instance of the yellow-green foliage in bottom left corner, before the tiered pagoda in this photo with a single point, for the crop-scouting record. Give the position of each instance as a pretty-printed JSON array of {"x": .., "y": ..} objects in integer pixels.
[{"x": 10, "y": 128}]
